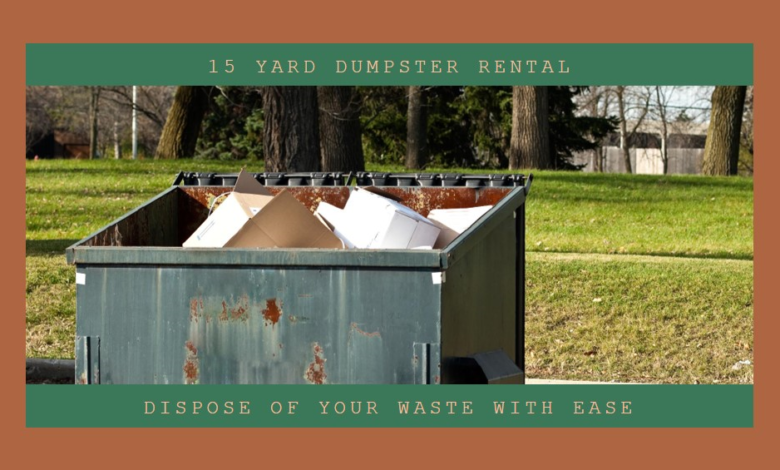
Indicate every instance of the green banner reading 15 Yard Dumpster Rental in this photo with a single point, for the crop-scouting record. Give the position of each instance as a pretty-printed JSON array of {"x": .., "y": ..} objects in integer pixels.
[{"x": 389, "y": 64}]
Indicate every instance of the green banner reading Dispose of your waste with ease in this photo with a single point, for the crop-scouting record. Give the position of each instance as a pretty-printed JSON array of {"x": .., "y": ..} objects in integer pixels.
[{"x": 390, "y": 406}]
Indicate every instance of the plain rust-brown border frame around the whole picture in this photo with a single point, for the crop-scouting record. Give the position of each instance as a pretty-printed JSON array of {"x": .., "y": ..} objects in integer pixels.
[{"x": 401, "y": 21}]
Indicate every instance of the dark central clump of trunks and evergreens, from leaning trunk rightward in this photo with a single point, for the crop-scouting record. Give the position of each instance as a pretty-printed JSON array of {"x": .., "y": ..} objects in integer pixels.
[{"x": 330, "y": 128}]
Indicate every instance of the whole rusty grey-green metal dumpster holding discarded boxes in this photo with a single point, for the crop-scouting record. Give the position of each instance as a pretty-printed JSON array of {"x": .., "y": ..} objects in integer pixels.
[{"x": 150, "y": 311}]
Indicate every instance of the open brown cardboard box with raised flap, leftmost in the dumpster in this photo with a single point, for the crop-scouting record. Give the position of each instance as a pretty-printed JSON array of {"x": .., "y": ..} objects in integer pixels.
[{"x": 250, "y": 217}]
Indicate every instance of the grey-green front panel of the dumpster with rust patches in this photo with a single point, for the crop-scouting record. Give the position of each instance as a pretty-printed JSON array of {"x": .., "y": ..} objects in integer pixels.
[{"x": 257, "y": 324}]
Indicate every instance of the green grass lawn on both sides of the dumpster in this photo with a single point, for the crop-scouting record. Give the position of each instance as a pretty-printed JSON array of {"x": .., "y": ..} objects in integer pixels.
[{"x": 630, "y": 277}]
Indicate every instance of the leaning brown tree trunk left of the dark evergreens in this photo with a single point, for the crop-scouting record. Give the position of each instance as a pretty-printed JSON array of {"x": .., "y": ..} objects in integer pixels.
[{"x": 180, "y": 133}]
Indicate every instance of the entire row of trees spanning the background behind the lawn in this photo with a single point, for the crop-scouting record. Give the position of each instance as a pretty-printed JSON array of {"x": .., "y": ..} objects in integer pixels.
[{"x": 338, "y": 128}]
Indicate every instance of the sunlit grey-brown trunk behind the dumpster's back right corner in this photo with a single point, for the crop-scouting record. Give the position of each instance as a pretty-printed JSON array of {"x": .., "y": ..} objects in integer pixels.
[{"x": 530, "y": 143}]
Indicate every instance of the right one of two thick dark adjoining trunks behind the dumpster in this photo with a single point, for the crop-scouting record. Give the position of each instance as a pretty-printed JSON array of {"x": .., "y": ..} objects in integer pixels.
[{"x": 340, "y": 138}]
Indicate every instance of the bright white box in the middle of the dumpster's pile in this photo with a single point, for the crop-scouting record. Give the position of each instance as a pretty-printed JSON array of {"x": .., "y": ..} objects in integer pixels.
[{"x": 371, "y": 220}]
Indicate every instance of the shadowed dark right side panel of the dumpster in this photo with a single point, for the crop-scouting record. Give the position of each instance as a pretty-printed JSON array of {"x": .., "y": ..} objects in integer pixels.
[{"x": 479, "y": 300}]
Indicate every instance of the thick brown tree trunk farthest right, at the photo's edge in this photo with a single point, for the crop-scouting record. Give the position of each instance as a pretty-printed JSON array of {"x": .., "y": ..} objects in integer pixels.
[{"x": 721, "y": 150}]
